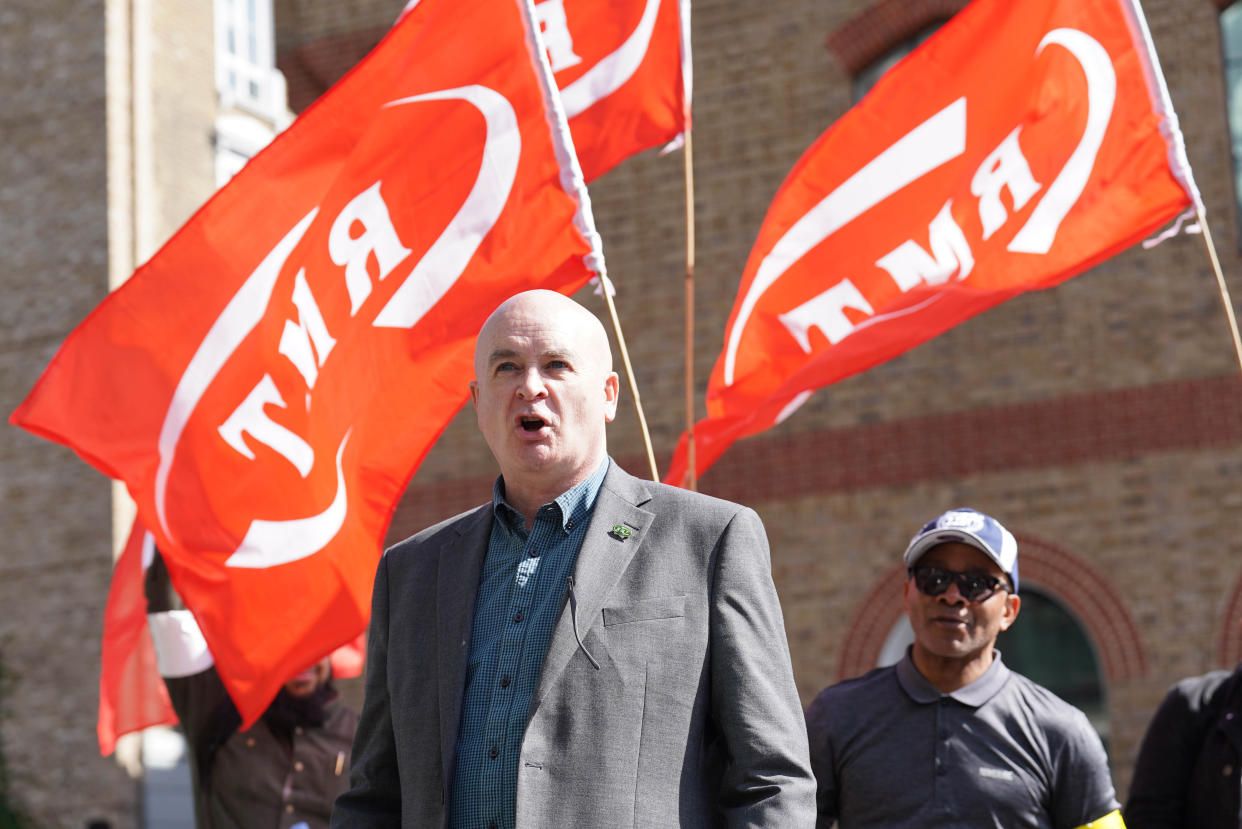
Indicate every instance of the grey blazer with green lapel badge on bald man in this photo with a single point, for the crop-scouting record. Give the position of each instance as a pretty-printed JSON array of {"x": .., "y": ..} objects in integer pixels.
[{"x": 692, "y": 719}]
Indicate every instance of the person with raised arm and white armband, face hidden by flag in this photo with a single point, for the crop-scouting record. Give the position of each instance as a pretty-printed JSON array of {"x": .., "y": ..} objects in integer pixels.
[{"x": 281, "y": 774}]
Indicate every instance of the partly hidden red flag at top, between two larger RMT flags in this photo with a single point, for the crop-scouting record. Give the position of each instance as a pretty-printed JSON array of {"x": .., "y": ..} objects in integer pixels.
[{"x": 620, "y": 71}]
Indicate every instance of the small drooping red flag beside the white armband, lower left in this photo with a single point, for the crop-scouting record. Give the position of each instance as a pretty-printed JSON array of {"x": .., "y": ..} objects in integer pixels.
[{"x": 132, "y": 695}]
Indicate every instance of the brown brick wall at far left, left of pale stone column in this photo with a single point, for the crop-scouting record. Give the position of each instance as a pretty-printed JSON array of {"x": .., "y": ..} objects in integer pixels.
[{"x": 55, "y": 554}]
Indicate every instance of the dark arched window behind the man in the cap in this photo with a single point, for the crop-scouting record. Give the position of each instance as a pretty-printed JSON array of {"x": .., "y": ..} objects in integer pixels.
[{"x": 1048, "y": 646}]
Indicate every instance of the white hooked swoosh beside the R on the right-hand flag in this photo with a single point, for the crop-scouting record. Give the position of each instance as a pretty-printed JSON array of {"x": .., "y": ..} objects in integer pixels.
[{"x": 1041, "y": 227}]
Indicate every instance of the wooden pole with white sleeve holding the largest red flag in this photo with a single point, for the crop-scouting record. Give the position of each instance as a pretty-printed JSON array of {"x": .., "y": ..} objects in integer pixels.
[{"x": 574, "y": 185}]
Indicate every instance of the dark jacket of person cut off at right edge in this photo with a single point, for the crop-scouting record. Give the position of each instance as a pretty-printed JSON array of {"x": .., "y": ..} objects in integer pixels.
[{"x": 1189, "y": 772}]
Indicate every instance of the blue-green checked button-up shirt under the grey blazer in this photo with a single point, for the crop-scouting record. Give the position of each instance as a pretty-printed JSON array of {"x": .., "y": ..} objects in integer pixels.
[{"x": 521, "y": 592}]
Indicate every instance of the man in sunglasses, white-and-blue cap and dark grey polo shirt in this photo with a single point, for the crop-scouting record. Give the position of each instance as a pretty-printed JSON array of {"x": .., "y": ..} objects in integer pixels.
[{"x": 950, "y": 736}]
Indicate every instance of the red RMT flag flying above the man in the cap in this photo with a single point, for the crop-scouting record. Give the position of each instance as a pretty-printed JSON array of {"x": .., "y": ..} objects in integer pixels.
[{"x": 1022, "y": 145}]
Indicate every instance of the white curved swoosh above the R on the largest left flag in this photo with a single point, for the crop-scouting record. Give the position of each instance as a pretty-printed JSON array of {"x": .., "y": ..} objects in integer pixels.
[{"x": 448, "y": 258}]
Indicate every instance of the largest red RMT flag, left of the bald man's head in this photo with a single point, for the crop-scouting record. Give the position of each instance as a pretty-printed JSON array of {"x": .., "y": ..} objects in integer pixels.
[{"x": 268, "y": 383}]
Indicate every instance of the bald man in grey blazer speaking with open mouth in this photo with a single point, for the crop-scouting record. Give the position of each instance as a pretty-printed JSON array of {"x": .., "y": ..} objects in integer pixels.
[{"x": 587, "y": 649}]
